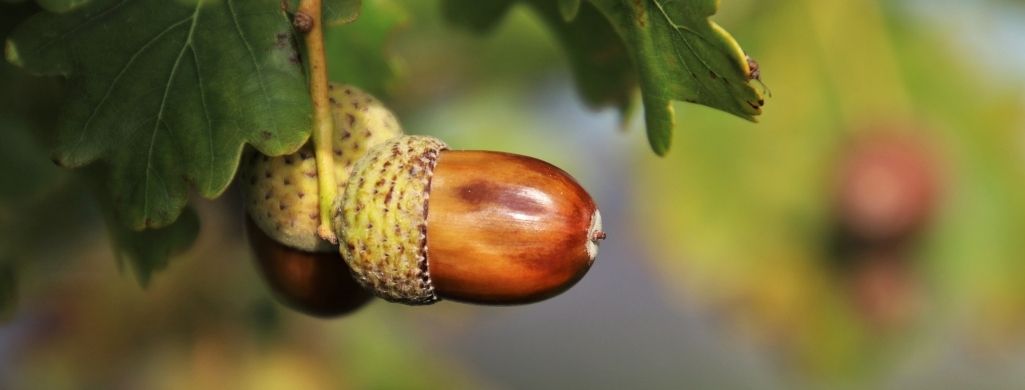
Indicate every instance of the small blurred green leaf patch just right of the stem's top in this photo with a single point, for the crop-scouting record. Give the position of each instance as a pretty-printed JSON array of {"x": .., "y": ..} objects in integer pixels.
[{"x": 357, "y": 52}]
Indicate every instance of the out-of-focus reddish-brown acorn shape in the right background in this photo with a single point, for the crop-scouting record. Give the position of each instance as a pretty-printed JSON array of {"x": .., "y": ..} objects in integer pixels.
[{"x": 886, "y": 191}]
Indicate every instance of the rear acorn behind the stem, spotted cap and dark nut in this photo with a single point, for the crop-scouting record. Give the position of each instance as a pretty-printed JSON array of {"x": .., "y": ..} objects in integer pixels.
[{"x": 282, "y": 203}]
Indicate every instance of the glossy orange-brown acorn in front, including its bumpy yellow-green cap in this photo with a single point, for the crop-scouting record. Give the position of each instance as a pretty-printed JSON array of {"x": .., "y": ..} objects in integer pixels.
[{"x": 418, "y": 223}]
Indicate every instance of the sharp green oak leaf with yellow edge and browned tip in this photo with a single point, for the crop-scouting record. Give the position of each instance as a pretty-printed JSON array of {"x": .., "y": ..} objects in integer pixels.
[{"x": 682, "y": 56}]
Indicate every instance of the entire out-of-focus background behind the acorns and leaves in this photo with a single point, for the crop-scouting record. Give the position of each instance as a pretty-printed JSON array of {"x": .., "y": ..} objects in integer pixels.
[{"x": 867, "y": 233}]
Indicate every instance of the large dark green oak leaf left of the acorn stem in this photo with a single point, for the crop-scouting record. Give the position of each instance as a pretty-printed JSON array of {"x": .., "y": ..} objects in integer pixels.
[{"x": 169, "y": 93}]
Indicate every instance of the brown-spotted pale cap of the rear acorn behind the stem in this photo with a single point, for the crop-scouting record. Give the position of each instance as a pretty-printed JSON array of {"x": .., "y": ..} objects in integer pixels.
[{"x": 282, "y": 192}]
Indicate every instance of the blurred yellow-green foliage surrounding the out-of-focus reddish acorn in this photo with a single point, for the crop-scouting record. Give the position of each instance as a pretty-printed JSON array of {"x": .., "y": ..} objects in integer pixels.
[{"x": 742, "y": 216}]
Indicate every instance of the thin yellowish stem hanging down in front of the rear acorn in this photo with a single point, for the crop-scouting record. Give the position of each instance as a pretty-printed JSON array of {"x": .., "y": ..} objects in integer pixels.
[{"x": 323, "y": 125}]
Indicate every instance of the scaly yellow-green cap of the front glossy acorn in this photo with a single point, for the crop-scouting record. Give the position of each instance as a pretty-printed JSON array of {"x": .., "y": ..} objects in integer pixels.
[{"x": 382, "y": 219}]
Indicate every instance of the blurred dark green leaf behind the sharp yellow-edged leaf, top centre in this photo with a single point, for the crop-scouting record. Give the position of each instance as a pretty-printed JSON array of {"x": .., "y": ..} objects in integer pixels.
[{"x": 600, "y": 62}]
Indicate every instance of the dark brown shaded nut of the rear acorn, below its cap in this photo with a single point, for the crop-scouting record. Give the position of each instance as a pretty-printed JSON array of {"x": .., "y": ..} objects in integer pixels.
[{"x": 316, "y": 284}]
